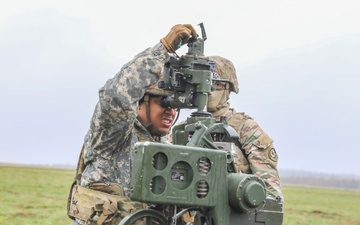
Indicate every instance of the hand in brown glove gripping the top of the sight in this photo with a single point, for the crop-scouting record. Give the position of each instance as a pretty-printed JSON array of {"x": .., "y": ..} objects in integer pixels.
[{"x": 178, "y": 36}]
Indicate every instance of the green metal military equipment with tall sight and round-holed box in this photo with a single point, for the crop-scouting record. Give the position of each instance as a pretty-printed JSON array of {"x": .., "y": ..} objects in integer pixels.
[{"x": 197, "y": 173}]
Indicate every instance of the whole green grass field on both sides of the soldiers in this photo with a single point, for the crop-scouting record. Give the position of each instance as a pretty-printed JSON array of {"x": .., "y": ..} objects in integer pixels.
[{"x": 32, "y": 196}]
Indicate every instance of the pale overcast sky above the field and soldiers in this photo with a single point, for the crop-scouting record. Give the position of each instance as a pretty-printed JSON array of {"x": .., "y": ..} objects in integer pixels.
[{"x": 297, "y": 64}]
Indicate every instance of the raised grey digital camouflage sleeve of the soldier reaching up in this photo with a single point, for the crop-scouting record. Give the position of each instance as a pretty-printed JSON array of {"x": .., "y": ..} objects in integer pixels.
[{"x": 117, "y": 108}]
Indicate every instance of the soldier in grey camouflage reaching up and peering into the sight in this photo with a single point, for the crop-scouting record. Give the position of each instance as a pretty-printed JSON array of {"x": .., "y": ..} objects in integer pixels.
[{"x": 128, "y": 111}]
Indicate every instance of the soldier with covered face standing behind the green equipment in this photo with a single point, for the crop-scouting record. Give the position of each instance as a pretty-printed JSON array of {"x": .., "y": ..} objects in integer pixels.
[{"x": 258, "y": 155}]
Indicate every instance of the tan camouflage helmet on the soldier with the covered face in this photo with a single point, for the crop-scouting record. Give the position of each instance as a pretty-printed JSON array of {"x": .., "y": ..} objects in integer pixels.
[{"x": 226, "y": 70}]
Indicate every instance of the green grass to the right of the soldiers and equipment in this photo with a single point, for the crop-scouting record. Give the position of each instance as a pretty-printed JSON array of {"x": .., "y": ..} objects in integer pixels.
[{"x": 321, "y": 206}]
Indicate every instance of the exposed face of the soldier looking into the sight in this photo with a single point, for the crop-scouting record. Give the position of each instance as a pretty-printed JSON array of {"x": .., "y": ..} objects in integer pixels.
[{"x": 161, "y": 118}]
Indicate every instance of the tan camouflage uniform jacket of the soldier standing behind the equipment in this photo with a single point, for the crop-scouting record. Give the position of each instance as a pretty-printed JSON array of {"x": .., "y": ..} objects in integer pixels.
[{"x": 258, "y": 156}]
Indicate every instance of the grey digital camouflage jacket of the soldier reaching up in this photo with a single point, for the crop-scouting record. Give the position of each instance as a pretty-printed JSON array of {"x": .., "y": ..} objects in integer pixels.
[{"x": 114, "y": 128}]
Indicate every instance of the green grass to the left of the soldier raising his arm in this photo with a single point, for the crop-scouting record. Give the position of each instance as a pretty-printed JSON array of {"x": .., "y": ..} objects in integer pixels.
[{"x": 32, "y": 196}]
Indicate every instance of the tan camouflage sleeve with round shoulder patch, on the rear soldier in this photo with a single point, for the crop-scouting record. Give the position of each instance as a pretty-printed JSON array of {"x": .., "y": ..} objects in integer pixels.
[{"x": 261, "y": 155}]
